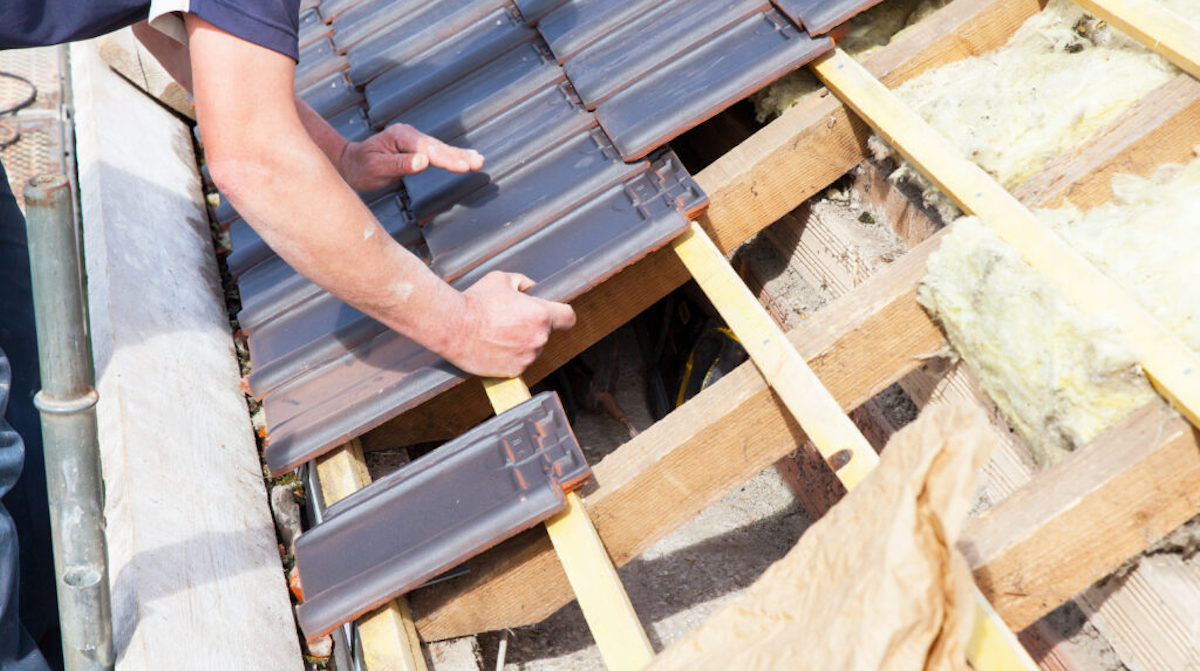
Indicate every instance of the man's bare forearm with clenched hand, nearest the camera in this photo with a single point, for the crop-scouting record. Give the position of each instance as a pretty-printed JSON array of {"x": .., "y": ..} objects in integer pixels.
[{"x": 281, "y": 182}]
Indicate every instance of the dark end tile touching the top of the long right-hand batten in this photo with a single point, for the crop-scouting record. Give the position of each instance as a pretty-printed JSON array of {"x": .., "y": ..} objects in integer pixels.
[{"x": 717, "y": 74}]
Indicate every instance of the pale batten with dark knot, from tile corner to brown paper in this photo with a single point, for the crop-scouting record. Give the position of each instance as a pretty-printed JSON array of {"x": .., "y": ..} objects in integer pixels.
[{"x": 820, "y": 416}]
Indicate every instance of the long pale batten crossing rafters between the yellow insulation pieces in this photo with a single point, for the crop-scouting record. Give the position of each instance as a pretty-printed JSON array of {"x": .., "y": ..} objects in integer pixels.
[{"x": 1172, "y": 367}]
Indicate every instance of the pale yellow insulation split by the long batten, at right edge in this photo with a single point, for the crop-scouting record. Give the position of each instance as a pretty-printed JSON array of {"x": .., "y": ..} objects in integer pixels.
[{"x": 1063, "y": 378}]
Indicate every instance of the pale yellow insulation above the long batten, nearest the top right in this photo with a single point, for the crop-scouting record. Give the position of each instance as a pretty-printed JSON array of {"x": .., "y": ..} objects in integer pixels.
[{"x": 1059, "y": 79}]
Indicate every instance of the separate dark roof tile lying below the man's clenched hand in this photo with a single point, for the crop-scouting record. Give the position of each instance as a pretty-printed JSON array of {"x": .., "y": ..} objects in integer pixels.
[{"x": 496, "y": 481}]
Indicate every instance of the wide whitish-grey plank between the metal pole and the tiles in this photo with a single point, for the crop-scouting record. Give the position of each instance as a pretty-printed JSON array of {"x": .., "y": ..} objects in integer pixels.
[{"x": 197, "y": 583}]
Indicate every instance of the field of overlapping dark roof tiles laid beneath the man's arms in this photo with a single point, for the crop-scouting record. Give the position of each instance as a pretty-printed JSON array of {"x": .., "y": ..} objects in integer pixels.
[{"x": 571, "y": 103}]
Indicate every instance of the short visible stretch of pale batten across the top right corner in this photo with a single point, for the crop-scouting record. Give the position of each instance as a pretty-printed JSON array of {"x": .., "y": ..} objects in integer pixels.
[{"x": 1161, "y": 31}]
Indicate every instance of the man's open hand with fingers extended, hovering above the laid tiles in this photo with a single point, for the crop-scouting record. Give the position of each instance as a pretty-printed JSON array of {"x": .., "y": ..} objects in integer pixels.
[{"x": 398, "y": 152}]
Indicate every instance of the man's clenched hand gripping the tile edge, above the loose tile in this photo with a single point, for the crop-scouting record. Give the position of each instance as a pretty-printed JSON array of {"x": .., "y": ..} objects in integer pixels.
[{"x": 503, "y": 329}]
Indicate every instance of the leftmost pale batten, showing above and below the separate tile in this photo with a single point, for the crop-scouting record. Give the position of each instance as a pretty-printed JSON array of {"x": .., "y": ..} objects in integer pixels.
[{"x": 389, "y": 638}]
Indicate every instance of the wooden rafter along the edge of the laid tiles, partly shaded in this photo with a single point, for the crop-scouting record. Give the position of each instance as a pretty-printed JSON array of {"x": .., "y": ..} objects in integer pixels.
[{"x": 766, "y": 177}]
